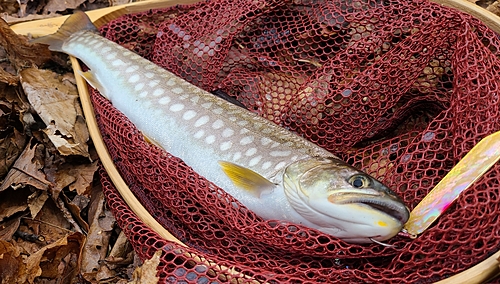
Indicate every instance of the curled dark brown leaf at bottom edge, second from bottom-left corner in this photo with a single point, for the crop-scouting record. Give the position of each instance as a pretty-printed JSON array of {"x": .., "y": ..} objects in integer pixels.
[{"x": 59, "y": 260}]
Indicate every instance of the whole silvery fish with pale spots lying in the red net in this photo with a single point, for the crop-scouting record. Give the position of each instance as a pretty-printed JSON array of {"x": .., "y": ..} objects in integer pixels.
[{"x": 273, "y": 172}]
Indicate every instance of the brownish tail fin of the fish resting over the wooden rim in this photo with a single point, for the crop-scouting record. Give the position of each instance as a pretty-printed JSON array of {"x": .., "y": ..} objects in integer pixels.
[{"x": 79, "y": 21}]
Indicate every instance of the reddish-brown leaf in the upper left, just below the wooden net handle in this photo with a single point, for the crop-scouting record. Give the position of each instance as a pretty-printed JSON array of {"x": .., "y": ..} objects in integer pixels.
[{"x": 19, "y": 51}]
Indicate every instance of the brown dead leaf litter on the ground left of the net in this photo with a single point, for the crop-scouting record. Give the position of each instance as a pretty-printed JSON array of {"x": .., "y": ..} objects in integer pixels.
[{"x": 55, "y": 226}]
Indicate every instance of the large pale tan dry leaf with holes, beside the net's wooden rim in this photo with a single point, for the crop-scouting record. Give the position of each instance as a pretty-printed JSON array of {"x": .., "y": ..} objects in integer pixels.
[{"x": 57, "y": 104}]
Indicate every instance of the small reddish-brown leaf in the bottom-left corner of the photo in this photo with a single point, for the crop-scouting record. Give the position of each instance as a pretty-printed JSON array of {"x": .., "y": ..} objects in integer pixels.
[{"x": 12, "y": 267}]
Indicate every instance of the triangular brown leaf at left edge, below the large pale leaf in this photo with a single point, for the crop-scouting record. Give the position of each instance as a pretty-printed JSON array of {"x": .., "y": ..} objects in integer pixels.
[{"x": 27, "y": 170}]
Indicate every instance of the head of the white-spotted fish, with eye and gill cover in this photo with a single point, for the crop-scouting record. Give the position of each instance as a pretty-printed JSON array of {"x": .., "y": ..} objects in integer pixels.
[{"x": 343, "y": 201}]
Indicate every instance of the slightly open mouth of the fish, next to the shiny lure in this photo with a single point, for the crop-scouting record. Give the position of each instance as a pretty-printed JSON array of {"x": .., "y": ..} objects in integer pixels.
[{"x": 380, "y": 201}]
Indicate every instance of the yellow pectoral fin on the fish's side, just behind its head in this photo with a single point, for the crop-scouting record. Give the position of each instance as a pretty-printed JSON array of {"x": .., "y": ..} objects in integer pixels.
[{"x": 247, "y": 179}]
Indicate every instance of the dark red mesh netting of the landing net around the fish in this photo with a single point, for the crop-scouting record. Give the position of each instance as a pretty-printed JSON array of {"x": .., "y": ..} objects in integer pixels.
[{"x": 400, "y": 89}]
